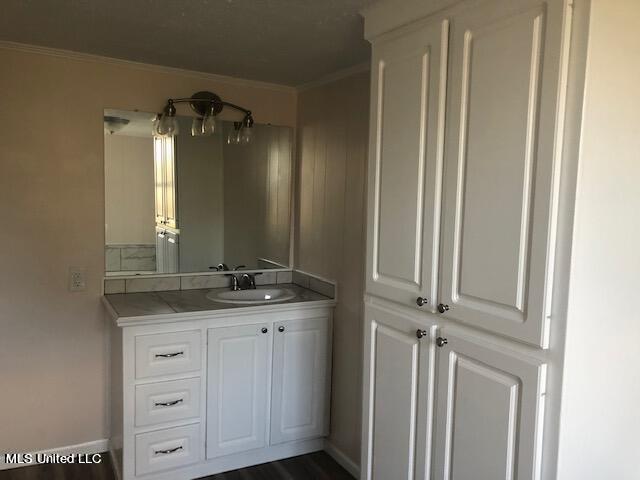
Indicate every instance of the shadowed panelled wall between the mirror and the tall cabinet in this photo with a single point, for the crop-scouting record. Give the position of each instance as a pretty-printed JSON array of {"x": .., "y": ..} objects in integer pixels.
[{"x": 332, "y": 144}]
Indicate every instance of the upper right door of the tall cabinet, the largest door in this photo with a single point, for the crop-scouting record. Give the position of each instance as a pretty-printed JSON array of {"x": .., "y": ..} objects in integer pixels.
[{"x": 502, "y": 166}]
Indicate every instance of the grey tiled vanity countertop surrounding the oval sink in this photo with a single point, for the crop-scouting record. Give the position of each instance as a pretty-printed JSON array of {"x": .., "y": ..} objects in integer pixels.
[{"x": 137, "y": 308}]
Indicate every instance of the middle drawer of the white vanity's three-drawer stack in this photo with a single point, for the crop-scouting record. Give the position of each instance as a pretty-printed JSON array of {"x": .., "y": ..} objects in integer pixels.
[{"x": 167, "y": 401}]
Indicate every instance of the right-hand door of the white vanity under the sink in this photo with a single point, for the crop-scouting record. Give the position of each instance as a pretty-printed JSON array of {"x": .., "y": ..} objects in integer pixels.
[{"x": 300, "y": 391}]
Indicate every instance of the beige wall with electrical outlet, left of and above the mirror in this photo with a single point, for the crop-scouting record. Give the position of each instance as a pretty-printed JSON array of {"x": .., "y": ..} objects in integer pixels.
[{"x": 52, "y": 342}]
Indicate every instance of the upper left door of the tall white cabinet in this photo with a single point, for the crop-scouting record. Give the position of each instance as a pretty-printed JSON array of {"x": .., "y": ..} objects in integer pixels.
[{"x": 405, "y": 164}]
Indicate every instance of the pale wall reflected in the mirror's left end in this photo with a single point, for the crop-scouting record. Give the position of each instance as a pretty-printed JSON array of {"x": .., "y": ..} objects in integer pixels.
[{"x": 129, "y": 206}]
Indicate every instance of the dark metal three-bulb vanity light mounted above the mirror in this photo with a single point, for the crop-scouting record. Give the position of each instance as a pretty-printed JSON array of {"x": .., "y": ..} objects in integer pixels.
[{"x": 207, "y": 106}]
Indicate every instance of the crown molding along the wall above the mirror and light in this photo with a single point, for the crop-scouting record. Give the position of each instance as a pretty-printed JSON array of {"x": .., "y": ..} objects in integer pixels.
[{"x": 87, "y": 57}]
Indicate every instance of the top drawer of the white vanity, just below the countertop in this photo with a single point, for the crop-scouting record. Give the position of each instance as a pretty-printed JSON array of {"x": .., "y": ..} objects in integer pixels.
[{"x": 167, "y": 354}]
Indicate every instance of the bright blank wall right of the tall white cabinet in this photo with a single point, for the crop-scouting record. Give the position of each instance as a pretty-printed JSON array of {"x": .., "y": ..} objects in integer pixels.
[{"x": 601, "y": 391}]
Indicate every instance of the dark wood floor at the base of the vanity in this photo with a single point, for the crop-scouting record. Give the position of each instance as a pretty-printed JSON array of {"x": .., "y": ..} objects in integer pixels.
[{"x": 314, "y": 466}]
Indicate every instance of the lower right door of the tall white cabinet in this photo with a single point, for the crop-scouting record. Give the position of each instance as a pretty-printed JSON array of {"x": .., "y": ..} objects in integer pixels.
[{"x": 488, "y": 415}]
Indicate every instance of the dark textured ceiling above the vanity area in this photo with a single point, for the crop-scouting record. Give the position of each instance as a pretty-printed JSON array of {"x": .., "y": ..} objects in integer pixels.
[{"x": 282, "y": 41}]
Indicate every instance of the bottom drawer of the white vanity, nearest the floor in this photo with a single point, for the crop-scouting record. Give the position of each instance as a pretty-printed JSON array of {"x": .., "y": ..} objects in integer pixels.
[{"x": 165, "y": 449}]
